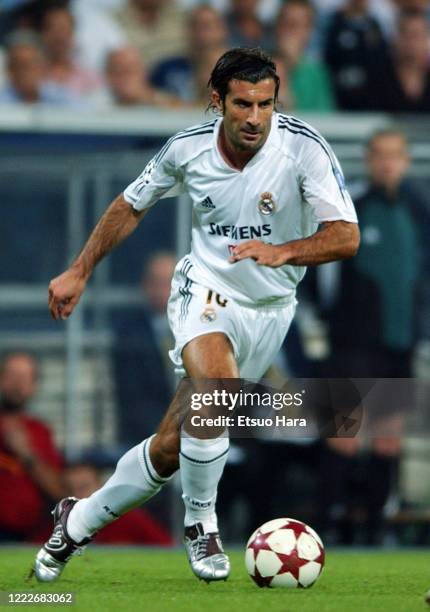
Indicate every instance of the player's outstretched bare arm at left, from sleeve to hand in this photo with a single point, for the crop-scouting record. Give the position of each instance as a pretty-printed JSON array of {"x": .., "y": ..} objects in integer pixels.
[{"x": 118, "y": 222}]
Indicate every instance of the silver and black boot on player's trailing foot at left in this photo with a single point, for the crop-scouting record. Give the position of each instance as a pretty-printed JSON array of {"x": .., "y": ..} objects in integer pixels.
[{"x": 56, "y": 552}]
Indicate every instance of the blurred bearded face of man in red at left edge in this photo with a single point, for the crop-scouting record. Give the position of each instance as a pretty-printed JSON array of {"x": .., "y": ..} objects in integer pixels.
[{"x": 18, "y": 381}]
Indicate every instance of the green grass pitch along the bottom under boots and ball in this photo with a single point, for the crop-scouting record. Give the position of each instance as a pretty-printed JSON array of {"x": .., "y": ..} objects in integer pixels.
[{"x": 161, "y": 581}]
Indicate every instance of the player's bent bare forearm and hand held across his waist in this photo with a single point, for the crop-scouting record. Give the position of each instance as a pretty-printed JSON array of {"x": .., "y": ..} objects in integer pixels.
[{"x": 335, "y": 240}]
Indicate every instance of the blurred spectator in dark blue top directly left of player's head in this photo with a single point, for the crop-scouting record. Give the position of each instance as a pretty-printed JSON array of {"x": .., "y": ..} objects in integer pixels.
[{"x": 183, "y": 75}]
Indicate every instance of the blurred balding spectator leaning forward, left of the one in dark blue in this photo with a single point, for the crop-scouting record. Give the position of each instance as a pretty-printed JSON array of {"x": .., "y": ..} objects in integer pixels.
[{"x": 128, "y": 85}]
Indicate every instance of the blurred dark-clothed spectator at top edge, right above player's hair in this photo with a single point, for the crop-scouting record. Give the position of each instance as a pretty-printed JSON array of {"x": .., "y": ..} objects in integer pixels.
[{"x": 245, "y": 27}]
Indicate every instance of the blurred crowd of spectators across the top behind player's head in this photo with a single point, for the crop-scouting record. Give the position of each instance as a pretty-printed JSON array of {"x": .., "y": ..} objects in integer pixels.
[{"x": 349, "y": 55}]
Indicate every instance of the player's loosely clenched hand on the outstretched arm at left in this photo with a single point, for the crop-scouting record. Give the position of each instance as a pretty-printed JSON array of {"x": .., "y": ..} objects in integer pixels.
[{"x": 64, "y": 293}]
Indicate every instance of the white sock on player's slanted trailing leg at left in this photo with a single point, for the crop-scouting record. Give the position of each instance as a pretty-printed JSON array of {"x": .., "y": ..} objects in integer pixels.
[{"x": 133, "y": 483}]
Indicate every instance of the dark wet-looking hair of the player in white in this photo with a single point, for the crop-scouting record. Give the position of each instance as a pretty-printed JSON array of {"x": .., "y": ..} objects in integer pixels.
[{"x": 242, "y": 64}]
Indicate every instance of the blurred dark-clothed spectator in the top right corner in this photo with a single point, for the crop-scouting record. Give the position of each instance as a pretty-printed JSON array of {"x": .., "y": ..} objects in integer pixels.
[{"x": 402, "y": 85}]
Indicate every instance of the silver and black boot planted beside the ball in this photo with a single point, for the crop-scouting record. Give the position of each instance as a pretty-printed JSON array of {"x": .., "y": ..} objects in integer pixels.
[{"x": 205, "y": 554}]
